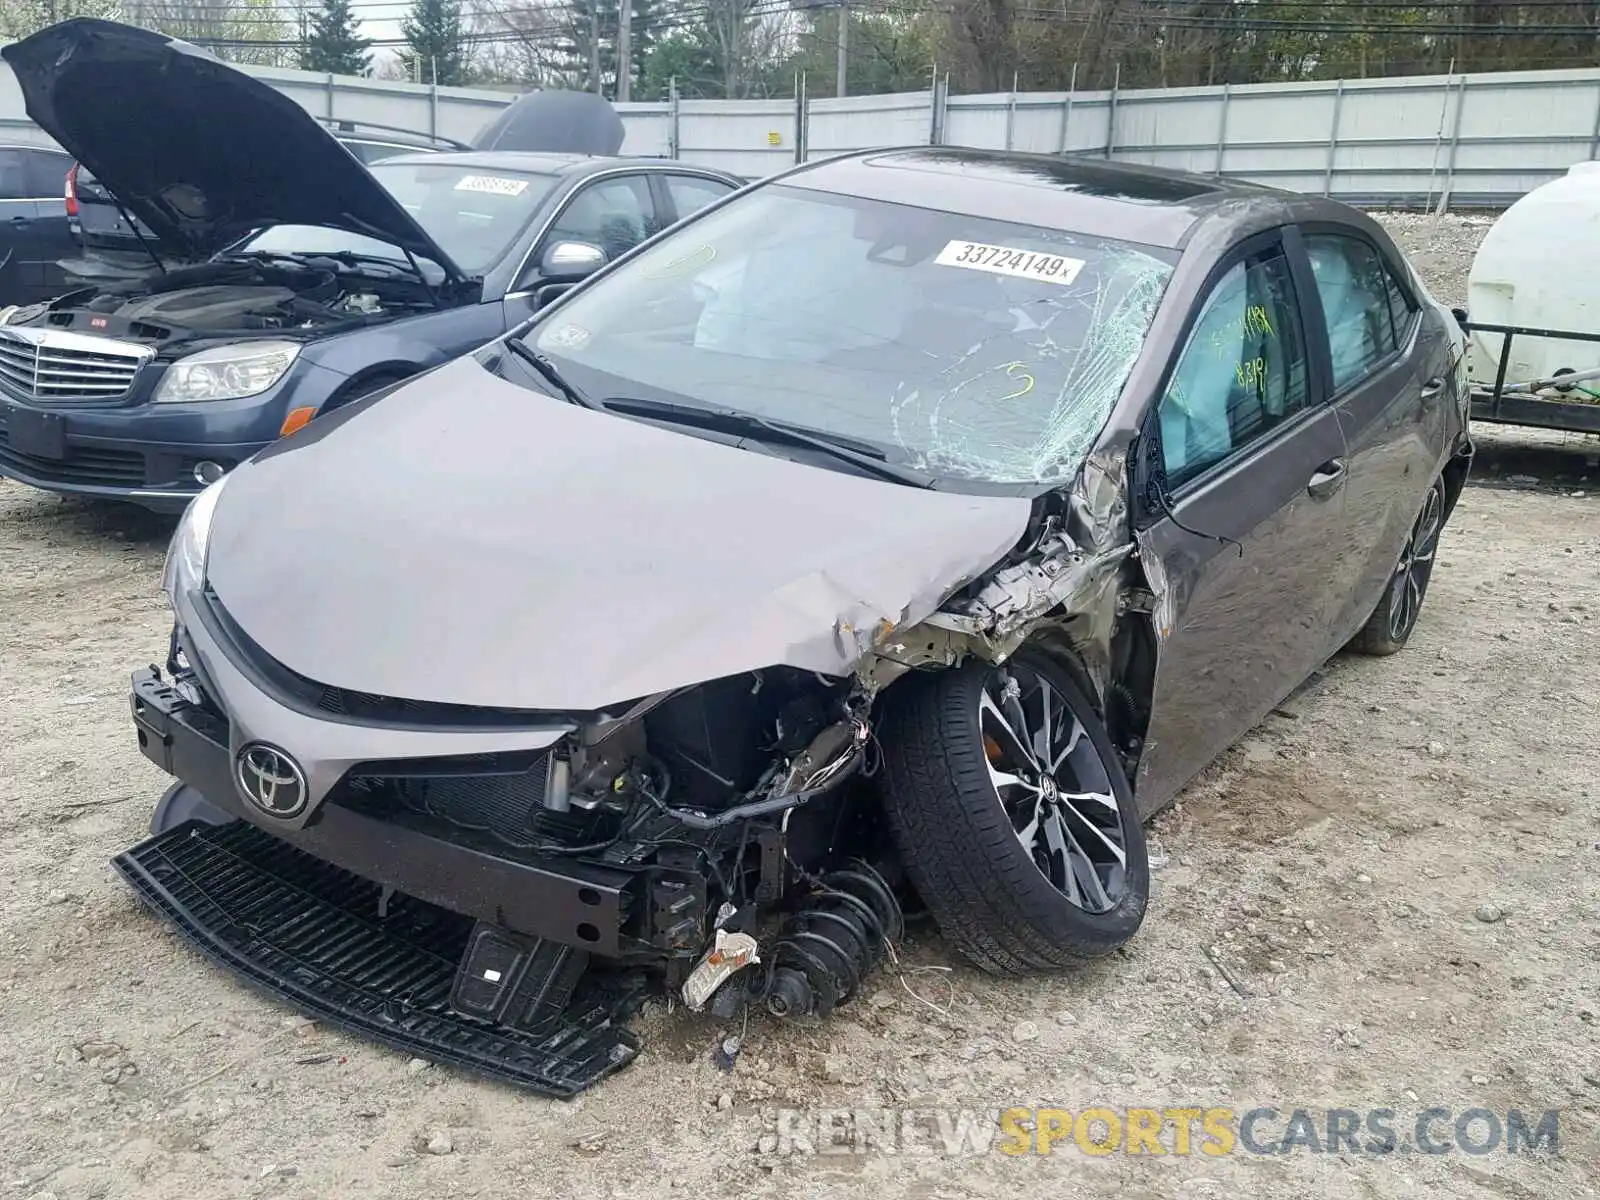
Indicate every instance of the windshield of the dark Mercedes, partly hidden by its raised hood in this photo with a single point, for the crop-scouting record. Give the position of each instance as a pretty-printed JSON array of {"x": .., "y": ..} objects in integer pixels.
[{"x": 474, "y": 214}]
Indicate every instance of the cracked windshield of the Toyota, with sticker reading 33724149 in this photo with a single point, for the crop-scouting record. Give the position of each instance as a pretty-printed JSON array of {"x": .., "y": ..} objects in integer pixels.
[{"x": 961, "y": 346}]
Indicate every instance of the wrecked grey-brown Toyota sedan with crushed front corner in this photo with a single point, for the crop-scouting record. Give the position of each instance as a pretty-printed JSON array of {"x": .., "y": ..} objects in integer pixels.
[{"x": 902, "y": 530}]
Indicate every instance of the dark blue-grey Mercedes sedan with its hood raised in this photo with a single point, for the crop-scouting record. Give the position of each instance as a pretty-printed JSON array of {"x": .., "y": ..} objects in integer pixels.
[{"x": 289, "y": 278}]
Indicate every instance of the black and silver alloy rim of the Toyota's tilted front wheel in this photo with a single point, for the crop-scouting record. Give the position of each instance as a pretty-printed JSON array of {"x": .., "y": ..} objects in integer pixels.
[{"x": 1054, "y": 786}]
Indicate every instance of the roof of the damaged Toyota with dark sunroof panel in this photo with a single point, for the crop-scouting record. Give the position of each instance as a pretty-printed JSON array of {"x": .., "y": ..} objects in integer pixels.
[{"x": 1130, "y": 202}]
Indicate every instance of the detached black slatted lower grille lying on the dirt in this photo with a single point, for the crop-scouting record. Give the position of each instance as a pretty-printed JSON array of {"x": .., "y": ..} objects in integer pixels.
[{"x": 311, "y": 934}]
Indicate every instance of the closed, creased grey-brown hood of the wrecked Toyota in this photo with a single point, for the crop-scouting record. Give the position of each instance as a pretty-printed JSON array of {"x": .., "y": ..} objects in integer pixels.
[{"x": 470, "y": 542}]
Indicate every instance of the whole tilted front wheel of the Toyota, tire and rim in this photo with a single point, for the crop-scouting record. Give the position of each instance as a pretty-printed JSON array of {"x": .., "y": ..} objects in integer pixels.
[{"x": 1014, "y": 817}]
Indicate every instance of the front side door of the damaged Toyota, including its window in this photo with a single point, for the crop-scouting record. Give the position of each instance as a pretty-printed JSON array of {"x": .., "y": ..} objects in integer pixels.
[{"x": 1254, "y": 471}]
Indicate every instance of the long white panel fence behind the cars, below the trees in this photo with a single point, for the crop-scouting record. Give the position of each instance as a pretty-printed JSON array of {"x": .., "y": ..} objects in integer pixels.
[{"x": 1466, "y": 138}]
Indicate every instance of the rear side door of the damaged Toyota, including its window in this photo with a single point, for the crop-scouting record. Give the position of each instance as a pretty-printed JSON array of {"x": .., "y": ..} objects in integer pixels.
[{"x": 1390, "y": 391}]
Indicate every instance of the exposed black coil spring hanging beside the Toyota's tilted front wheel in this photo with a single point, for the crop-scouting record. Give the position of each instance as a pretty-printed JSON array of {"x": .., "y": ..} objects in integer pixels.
[{"x": 826, "y": 948}]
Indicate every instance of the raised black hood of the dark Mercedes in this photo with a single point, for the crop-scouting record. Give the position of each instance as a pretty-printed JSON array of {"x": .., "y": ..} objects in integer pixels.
[{"x": 201, "y": 153}]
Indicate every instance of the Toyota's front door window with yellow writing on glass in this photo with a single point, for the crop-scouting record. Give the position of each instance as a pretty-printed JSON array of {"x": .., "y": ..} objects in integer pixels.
[{"x": 1242, "y": 372}]
